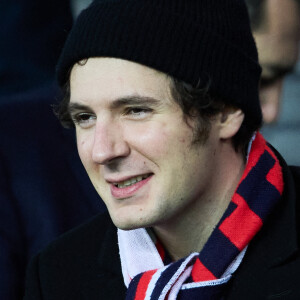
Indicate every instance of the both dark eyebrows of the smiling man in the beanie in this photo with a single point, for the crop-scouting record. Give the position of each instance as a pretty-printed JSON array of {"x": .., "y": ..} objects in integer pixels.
[{"x": 119, "y": 102}]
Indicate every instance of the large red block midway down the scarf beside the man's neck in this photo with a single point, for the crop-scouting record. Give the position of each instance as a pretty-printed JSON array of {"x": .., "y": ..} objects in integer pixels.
[{"x": 242, "y": 235}]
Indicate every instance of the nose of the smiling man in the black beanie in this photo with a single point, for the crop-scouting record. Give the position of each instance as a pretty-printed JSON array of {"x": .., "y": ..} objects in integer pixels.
[{"x": 109, "y": 143}]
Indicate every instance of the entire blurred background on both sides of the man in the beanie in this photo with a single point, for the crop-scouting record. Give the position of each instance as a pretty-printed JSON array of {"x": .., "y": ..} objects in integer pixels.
[{"x": 44, "y": 190}]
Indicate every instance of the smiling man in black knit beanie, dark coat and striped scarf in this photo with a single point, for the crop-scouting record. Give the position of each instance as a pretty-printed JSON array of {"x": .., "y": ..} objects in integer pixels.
[{"x": 164, "y": 98}]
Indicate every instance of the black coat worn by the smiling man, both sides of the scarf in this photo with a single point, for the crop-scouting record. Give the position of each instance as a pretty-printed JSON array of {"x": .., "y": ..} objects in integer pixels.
[{"x": 85, "y": 264}]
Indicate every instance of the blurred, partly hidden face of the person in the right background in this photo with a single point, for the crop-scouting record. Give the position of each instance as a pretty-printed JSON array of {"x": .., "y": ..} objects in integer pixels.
[{"x": 277, "y": 40}]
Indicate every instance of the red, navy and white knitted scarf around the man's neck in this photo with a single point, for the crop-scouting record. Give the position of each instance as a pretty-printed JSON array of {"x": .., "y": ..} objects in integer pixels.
[{"x": 149, "y": 275}]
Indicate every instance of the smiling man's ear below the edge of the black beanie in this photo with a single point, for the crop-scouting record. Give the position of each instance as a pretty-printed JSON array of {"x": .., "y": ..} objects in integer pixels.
[{"x": 230, "y": 122}]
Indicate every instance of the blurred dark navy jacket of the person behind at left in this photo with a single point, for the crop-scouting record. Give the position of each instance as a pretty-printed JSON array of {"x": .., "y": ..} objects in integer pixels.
[{"x": 44, "y": 189}]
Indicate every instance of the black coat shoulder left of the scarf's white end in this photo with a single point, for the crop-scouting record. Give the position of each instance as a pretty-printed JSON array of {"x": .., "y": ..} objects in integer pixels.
[{"x": 77, "y": 263}]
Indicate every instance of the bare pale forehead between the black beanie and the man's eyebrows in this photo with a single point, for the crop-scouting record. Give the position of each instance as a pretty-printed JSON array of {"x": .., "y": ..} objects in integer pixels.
[{"x": 110, "y": 78}]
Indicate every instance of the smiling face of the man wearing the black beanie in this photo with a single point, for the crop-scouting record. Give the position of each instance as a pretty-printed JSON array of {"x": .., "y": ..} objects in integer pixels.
[{"x": 135, "y": 145}]
